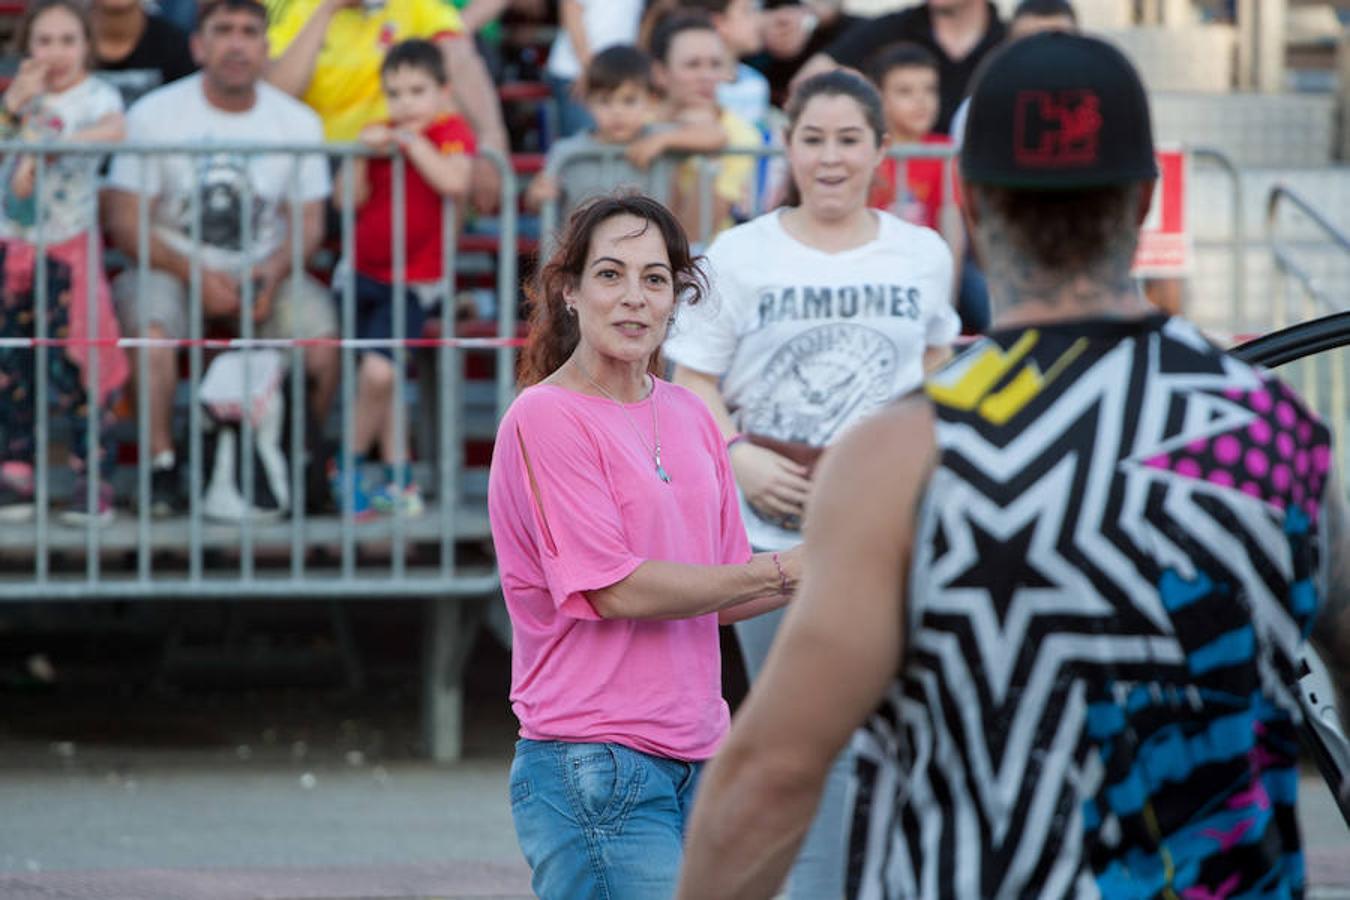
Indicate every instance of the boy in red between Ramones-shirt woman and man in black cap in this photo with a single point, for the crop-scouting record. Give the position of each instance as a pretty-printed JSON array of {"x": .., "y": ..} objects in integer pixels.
[{"x": 912, "y": 190}]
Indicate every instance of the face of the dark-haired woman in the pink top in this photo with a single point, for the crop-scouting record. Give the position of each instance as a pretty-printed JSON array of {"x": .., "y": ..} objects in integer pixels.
[{"x": 627, "y": 292}]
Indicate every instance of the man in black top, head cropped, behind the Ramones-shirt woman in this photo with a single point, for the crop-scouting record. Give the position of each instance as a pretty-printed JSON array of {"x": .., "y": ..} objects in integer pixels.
[{"x": 959, "y": 33}]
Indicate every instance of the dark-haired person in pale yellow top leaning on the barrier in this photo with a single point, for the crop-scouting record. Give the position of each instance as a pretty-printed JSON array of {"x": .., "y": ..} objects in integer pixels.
[{"x": 692, "y": 61}]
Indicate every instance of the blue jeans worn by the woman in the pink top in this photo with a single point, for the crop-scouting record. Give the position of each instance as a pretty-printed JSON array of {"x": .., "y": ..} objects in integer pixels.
[{"x": 600, "y": 820}]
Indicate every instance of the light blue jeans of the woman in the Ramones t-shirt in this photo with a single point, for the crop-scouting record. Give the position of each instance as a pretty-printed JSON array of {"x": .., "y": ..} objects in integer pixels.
[{"x": 819, "y": 872}]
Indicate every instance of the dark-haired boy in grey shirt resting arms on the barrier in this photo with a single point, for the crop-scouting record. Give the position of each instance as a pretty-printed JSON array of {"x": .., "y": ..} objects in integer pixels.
[{"x": 620, "y": 98}]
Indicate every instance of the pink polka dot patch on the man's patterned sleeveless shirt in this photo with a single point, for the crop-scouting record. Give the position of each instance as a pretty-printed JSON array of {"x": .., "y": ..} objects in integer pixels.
[{"x": 1282, "y": 457}]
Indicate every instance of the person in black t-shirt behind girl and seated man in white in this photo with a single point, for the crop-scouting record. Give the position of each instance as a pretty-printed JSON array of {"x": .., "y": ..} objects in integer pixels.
[{"x": 137, "y": 52}]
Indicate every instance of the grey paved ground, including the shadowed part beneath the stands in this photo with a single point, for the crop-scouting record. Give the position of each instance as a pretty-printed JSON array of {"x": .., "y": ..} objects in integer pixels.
[{"x": 117, "y": 790}]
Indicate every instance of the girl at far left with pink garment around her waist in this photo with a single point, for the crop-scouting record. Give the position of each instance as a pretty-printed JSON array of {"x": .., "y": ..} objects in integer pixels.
[{"x": 55, "y": 99}]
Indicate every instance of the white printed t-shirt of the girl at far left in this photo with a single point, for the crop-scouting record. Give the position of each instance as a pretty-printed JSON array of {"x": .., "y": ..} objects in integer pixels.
[{"x": 70, "y": 199}]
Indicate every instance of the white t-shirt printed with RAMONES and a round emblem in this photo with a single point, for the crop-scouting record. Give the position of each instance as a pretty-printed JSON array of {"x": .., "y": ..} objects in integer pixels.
[{"x": 807, "y": 343}]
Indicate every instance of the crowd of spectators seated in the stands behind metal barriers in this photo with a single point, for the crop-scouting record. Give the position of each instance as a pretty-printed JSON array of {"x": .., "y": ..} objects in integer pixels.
[{"x": 638, "y": 88}]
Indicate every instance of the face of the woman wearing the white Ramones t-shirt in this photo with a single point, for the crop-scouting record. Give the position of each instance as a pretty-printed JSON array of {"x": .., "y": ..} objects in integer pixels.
[{"x": 834, "y": 153}]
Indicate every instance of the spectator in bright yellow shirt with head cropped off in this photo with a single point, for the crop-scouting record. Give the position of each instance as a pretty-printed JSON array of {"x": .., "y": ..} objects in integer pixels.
[{"x": 329, "y": 53}]
